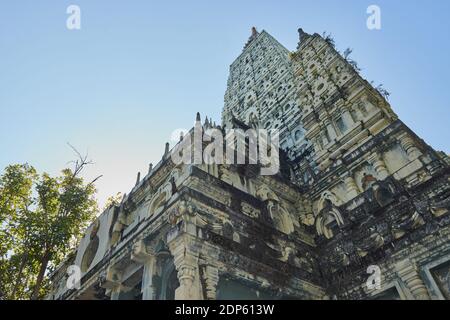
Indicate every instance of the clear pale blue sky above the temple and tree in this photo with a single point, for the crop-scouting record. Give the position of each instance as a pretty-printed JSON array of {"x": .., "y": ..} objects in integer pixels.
[{"x": 138, "y": 70}]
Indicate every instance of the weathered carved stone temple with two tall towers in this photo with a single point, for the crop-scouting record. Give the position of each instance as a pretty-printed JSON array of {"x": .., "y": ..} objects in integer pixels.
[{"x": 356, "y": 188}]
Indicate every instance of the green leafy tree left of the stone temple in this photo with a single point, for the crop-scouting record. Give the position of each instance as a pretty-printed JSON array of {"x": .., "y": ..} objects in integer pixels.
[{"x": 41, "y": 219}]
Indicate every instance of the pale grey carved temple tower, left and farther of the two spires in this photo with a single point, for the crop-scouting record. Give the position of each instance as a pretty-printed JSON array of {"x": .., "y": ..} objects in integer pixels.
[{"x": 262, "y": 94}]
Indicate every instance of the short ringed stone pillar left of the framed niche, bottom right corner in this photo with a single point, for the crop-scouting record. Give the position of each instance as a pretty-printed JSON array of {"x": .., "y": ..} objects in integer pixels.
[{"x": 407, "y": 271}]
